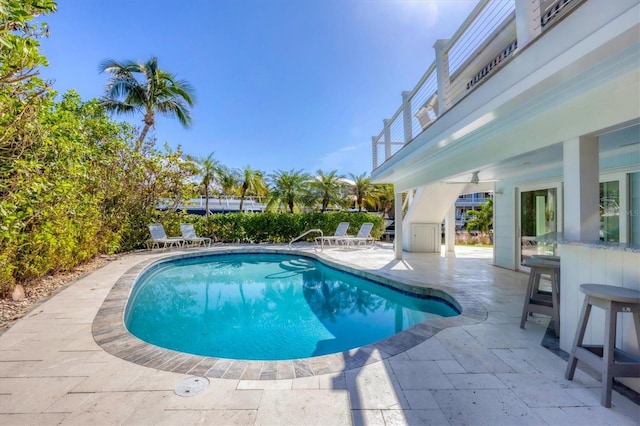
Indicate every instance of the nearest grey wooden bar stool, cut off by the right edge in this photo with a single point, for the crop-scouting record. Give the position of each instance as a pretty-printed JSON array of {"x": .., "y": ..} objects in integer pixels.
[{"x": 612, "y": 362}]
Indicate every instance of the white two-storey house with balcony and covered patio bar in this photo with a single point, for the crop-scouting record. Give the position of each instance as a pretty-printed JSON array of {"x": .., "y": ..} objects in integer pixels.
[{"x": 539, "y": 102}]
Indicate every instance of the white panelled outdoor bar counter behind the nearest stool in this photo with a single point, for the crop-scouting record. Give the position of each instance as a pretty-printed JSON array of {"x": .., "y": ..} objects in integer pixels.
[{"x": 598, "y": 262}]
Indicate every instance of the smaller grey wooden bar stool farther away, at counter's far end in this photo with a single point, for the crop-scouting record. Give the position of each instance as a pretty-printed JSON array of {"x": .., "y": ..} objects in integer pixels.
[{"x": 536, "y": 301}]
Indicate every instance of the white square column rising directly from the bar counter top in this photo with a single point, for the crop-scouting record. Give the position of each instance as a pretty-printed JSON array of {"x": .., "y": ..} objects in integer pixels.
[{"x": 581, "y": 189}]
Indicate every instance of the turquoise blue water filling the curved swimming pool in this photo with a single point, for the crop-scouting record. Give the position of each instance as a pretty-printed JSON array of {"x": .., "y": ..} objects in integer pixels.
[{"x": 267, "y": 307}]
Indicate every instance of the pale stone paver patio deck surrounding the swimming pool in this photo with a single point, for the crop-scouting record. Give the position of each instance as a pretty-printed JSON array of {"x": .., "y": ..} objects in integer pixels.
[{"x": 482, "y": 369}]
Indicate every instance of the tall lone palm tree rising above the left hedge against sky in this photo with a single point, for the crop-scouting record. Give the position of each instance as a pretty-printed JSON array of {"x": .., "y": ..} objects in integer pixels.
[{"x": 156, "y": 91}]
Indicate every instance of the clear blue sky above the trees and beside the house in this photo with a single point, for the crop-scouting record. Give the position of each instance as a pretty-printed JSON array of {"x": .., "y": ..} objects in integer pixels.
[{"x": 280, "y": 84}]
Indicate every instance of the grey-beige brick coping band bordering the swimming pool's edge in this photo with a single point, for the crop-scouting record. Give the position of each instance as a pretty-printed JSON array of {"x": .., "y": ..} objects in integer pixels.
[{"x": 111, "y": 334}]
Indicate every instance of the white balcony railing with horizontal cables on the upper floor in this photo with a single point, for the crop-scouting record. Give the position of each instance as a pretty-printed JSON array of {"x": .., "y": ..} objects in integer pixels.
[{"x": 494, "y": 32}]
